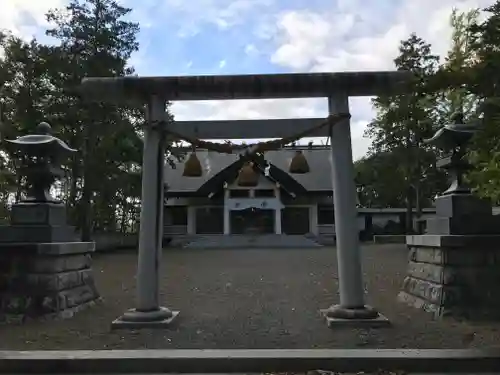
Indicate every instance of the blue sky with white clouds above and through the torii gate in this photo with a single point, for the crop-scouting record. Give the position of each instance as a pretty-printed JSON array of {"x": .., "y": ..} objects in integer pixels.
[{"x": 189, "y": 37}]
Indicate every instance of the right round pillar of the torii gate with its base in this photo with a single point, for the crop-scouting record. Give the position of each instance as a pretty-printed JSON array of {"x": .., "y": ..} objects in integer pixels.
[{"x": 352, "y": 304}]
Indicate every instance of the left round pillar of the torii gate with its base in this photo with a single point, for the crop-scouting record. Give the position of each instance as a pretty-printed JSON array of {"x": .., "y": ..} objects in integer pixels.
[{"x": 148, "y": 312}]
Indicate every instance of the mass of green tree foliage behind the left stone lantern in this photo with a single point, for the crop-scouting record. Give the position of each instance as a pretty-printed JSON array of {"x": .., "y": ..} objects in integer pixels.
[{"x": 38, "y": 83}]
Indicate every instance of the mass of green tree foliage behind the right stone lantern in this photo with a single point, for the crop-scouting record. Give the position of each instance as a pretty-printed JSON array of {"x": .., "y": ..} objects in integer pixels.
[{"x": 465, "y": 81}]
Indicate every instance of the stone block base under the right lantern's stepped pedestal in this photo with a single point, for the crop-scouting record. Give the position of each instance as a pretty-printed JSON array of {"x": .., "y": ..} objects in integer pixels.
[{"x": 455, "y": 276}]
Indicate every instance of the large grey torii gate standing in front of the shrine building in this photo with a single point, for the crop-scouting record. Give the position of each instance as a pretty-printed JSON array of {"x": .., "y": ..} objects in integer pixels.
[{"x": 155, "y": 91}]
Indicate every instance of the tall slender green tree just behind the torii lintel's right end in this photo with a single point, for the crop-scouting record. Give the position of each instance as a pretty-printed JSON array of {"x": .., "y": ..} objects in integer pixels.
[{"x": 404, "y": 121}]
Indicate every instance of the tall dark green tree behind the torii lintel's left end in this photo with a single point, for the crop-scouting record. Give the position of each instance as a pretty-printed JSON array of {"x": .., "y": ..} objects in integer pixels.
[{"x": 96, "y": 40}]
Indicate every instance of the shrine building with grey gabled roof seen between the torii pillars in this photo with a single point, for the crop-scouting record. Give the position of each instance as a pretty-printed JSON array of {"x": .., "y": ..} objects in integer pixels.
[{"x": 287, "y": 191}]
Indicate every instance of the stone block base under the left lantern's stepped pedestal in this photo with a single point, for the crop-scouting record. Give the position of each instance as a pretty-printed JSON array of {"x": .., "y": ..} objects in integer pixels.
[{"x": 45, "y": 280}]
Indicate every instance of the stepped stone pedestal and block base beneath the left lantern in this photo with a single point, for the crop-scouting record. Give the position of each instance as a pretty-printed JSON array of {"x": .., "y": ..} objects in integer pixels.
[{"x": 44, "y": 271}]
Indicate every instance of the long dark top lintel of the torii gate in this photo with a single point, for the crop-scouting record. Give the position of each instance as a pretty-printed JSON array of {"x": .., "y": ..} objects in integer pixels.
[{"x": 256, "y": 86}]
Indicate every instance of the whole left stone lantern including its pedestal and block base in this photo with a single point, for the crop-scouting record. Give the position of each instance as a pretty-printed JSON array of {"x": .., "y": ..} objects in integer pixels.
[{"x": 47, "y": 272}]
